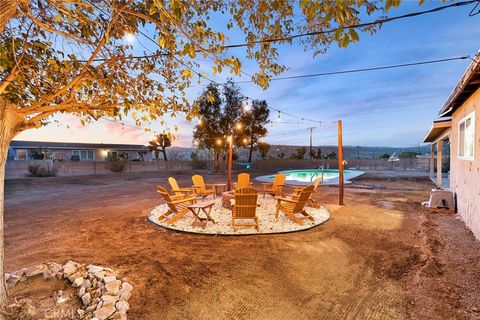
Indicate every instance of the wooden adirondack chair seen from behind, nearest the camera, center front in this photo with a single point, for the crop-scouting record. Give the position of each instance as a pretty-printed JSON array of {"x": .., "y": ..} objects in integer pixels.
[{"x": 245, "y": 207}]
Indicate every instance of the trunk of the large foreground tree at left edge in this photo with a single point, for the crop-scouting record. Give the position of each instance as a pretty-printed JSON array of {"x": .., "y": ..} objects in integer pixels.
[{"x": 10, "y": 122}]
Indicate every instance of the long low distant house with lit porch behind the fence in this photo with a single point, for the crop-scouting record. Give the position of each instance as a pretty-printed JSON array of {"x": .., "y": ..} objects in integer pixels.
[{"x": 32, "y": 150}]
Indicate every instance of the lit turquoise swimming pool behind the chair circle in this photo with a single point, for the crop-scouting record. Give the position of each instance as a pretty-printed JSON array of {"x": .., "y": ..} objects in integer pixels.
[{"x": 307, "y": 176}]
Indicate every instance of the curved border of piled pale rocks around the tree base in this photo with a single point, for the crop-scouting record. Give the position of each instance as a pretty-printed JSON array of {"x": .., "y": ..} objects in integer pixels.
[{"x": 103, "y": 294}]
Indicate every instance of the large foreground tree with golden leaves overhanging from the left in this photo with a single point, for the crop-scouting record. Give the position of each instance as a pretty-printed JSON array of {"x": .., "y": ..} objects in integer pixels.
[{"x": 70, "y": 56}]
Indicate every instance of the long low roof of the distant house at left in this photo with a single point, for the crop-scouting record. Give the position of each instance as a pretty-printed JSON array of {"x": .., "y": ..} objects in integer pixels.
[{"x": 72, "y": 145}]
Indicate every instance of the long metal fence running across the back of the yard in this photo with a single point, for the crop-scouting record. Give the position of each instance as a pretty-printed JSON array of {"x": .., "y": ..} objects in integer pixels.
[{"x": 19, "y": 169}]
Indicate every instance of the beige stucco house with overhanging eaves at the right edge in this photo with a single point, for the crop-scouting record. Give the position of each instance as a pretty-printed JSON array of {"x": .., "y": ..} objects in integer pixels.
[{"x": 459, "y": 125}]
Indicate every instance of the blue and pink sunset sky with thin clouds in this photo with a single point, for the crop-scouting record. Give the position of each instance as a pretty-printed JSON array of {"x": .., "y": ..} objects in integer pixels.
[{"x": 393, "y": 107}]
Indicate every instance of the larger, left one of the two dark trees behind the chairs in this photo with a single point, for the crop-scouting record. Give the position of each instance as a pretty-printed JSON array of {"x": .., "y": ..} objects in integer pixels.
[{"x": 220, "y": 112}]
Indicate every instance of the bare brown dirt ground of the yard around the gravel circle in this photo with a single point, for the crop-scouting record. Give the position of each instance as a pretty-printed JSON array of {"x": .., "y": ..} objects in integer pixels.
[{"x": 381, "y": 256}]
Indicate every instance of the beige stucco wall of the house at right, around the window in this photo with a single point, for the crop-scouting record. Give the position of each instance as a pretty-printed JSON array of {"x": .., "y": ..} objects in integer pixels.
[{"x": 465, "y": 174}]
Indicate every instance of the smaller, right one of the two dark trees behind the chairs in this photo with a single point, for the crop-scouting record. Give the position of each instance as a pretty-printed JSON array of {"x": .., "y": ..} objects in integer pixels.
[{"x": 255, "y": 121}]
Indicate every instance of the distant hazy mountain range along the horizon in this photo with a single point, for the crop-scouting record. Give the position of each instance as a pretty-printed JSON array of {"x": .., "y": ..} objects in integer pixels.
[{"x": 349, "y": 152}]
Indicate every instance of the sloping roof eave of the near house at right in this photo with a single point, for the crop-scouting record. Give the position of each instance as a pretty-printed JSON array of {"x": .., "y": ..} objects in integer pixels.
[{"x": 468, "y": 84}]
